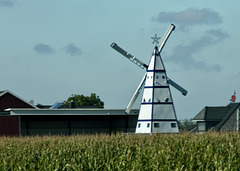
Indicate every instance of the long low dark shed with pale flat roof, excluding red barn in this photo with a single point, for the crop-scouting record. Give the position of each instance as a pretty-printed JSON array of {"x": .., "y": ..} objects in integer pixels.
[{"x": 74, "y": 121}]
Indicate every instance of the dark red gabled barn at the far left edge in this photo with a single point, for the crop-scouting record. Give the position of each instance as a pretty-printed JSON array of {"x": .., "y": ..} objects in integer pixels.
[{"x": 9, "y": 125}]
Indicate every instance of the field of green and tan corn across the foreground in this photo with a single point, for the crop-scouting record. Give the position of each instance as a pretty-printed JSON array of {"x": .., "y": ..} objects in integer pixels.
[{"x": 212, "y": 151}]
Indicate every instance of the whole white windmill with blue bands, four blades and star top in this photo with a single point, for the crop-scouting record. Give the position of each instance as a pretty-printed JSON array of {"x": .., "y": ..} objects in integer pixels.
[{"x": 157, "y": 113}]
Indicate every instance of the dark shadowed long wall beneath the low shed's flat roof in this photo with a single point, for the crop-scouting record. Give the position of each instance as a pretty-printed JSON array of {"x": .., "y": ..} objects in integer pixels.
[{"x": 70, "y": 125}]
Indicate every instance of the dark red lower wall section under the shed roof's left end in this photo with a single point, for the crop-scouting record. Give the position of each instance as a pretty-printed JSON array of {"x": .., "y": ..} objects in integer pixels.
[{"x": 9, "y": 125}]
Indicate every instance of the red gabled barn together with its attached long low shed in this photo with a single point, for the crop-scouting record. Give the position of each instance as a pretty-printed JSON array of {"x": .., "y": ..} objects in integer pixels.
[{"x": 20, "y": 118}]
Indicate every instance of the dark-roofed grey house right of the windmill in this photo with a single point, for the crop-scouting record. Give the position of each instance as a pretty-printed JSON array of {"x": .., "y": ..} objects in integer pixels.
[{"x": 222, "y": 118}]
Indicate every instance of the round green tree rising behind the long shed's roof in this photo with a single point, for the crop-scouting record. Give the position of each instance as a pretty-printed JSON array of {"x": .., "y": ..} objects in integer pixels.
[{"x": 81, "y": 101}]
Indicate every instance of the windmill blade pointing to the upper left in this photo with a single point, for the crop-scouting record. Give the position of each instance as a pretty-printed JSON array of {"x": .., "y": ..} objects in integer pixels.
[{"x": 129, "y": 56}]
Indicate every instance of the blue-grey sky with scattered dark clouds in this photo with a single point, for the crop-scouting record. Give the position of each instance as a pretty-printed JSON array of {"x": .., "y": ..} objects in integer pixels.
[{"x": 50, "y": 49}]
